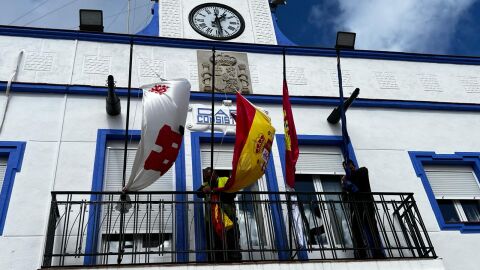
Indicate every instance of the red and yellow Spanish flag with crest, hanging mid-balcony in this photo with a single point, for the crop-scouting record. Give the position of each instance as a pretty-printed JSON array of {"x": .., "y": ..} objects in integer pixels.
[{"x": 253, "y": 144}]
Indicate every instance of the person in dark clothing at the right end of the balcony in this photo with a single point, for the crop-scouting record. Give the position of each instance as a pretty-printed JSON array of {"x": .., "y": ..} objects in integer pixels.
[{"x": 365, "y": 235}]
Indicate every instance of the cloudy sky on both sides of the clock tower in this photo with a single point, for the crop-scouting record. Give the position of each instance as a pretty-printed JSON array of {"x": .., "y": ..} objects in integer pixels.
[{"x": 424, "y": 26}]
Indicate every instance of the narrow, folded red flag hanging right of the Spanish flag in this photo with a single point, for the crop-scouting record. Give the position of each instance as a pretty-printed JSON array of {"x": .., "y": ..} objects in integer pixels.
[{"x": 291, "y": 141}]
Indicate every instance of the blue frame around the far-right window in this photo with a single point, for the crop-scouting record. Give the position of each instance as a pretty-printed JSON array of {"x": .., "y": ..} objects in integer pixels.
[{"x": 444, "y": 210}]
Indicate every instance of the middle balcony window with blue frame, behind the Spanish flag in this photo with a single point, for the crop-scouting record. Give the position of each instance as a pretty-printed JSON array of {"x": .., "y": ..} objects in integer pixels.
[{"x": 271, "y": 221}]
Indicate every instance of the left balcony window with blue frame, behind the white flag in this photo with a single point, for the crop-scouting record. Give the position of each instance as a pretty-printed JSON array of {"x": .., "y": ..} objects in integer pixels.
[{"x": 103, "y": 223}]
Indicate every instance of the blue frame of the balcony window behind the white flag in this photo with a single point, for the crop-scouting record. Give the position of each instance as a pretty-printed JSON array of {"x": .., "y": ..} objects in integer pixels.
[{"x": 105, "y": 135}]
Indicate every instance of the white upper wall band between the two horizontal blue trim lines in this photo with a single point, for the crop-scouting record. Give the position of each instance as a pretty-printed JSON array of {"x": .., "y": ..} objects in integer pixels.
[{"x": 89, "y": 63}]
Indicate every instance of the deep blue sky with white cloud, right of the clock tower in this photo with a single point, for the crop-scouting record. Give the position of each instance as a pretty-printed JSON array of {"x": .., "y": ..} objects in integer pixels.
[{"x": 423, "y": 26}]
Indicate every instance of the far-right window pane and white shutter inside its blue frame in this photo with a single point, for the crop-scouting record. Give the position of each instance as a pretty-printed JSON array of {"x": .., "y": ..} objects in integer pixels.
[{"x": 457, "y": 191}]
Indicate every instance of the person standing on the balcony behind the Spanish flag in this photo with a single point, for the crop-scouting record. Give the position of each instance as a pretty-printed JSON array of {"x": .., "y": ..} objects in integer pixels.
[{"x": 223, "y": 245}]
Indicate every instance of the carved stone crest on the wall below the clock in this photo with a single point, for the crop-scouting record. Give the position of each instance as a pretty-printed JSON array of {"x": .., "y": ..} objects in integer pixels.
[{"x": 231, "y": 72}]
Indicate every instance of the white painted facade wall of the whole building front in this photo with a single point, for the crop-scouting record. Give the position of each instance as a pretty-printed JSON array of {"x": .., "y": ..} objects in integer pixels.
[{"x": 61, "y": 130}]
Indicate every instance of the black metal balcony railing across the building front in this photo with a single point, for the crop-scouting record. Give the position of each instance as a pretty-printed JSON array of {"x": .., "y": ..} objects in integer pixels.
[{"x": 176, "y": 227}]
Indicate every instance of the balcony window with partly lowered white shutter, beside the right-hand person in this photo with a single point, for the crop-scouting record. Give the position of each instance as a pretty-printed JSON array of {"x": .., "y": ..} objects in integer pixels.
[{"x": 319, "y": 169}]
